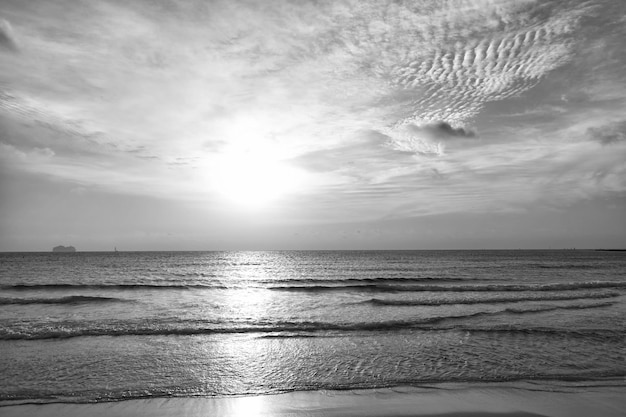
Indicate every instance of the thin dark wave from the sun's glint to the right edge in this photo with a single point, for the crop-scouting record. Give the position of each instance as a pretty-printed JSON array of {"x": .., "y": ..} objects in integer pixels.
[{"x": 455, "y": 288}]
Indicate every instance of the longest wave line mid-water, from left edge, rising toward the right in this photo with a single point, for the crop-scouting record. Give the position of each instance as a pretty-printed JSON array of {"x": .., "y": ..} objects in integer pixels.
[{"x": 66, "y": 330}]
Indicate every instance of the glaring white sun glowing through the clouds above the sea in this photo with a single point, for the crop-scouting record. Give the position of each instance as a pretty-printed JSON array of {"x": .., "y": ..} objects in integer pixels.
[{"x": 253, "y": 180}]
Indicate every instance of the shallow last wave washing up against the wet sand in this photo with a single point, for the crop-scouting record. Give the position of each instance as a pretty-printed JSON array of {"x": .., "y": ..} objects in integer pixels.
[{"x": 547, "y": 382}]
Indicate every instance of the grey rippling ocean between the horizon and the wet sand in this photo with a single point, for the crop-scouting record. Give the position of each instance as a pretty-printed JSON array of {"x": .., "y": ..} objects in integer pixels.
[{"x": 96, "y": 326}]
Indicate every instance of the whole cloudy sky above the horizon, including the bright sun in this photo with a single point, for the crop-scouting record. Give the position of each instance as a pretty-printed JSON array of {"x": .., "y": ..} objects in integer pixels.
[{"x": 256, "y": 125}]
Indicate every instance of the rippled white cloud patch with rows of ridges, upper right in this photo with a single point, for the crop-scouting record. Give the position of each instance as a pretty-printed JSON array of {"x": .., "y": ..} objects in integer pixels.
[{"x": 472, "y": 56}]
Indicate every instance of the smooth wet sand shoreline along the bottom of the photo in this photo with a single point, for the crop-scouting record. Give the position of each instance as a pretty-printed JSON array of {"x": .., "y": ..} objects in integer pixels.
[{"x": 523, "y": 399}]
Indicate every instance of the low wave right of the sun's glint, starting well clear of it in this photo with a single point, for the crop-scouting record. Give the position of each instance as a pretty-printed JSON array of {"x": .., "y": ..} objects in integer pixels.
[{"x": 402, "y": 303}]
